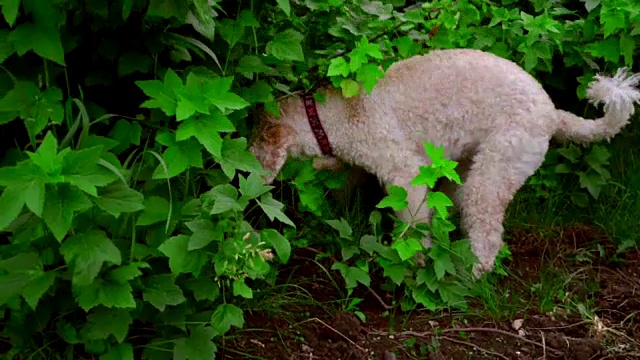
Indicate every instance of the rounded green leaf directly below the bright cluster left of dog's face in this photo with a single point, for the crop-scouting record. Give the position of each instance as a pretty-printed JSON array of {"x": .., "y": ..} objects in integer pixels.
[{"x": 178, "y": 157}]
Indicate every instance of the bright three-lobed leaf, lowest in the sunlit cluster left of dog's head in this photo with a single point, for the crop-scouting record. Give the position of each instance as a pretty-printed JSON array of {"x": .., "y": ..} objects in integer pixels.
[{"x": 206, "y": 129}]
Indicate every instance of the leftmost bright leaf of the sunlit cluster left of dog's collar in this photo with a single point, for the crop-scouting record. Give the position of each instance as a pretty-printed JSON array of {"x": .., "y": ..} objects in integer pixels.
[{"x": 162, "y": 93}]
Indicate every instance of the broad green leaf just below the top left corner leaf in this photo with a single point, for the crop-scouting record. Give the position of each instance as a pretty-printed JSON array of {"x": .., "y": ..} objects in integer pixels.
[{"x": 43, "y": 40}]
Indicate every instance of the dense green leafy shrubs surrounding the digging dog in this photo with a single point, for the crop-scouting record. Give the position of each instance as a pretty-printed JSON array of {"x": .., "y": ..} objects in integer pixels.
[{"x": 132, "y": 214}]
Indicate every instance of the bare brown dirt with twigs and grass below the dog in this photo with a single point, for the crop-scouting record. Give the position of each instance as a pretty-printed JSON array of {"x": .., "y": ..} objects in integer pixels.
[{"x": 313, "y": 331}]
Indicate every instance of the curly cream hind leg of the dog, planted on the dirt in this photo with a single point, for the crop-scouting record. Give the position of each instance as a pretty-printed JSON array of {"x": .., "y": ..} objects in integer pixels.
[{"x": 501, "y": 165}]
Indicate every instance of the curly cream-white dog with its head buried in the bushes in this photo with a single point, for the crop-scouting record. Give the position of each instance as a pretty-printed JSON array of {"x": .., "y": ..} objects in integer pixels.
[{"x": 486, "y": 111}]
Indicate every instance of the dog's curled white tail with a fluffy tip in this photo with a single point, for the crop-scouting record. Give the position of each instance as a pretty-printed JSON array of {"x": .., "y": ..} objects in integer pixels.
[{"x": 619, "y": 96}]
